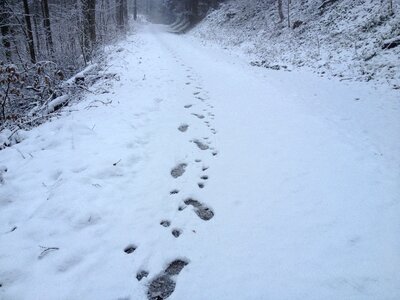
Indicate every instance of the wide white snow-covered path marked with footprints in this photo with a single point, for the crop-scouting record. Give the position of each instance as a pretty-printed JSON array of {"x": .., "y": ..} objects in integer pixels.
[{"x": 211, "y": 180}]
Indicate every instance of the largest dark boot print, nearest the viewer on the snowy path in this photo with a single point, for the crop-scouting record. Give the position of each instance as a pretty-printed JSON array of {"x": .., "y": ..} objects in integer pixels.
[{"x": 162, "y": 286}]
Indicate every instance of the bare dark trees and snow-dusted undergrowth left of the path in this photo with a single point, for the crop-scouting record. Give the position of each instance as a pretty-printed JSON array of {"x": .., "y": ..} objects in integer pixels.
[{"x": 43, "y": 43}]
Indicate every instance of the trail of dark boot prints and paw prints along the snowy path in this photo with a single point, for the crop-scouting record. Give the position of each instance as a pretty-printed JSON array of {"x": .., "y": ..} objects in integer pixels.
[{"x": 163, "y": 285}]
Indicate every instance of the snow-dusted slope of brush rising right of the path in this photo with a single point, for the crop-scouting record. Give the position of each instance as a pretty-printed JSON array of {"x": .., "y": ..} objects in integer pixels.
[{"x": 342, "y": 39}]
